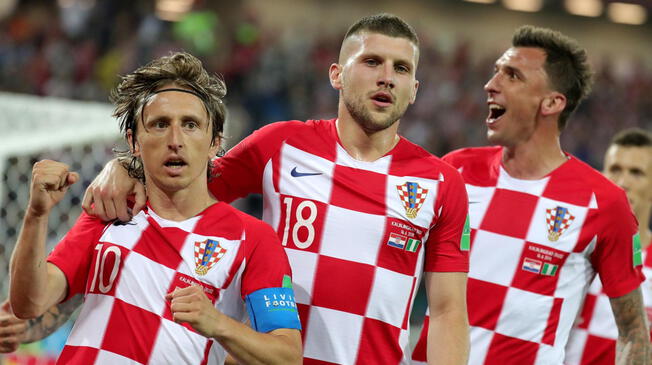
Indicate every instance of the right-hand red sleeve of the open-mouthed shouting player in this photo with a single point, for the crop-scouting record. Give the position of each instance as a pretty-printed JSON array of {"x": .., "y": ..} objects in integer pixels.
[{"x": 617, "y": 258}]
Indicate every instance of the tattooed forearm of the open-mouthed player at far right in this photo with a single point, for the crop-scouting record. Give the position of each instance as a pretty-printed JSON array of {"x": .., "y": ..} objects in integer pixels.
[{"x": 633, "y": 346}]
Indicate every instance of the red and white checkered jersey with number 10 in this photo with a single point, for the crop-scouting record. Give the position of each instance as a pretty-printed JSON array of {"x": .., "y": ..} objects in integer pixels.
[{"x": 126, "y": 270}]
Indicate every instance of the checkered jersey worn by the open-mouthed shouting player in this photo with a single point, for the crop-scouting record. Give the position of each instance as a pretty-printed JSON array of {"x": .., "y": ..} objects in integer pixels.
[{"x": 535, "y": 247}]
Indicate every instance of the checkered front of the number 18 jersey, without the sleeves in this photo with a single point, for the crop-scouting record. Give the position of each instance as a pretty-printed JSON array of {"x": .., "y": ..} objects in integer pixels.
[{"x": 352, "y": 248}]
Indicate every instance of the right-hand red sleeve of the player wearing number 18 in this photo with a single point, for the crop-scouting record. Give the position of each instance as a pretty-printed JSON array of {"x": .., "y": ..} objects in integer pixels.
[{"x": 447, "y": 246}]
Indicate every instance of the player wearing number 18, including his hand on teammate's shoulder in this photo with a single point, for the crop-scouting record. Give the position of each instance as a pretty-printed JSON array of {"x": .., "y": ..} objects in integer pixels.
[{"x": 362, "y": 212}]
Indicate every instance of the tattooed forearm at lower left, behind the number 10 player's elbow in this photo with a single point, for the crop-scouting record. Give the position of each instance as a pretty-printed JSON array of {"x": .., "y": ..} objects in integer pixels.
[{"x": 43, "y": 326}]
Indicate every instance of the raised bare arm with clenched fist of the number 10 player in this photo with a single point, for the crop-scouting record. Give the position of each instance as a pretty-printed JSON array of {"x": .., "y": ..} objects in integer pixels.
[{"x": 37, "y": 285}]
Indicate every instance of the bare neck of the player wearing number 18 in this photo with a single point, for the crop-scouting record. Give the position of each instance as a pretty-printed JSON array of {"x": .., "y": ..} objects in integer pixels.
[{"x": 364, "y": 146}]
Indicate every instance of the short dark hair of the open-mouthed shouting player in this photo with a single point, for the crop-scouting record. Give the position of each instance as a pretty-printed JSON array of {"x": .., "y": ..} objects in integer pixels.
[{"x": 566, "y": 64}]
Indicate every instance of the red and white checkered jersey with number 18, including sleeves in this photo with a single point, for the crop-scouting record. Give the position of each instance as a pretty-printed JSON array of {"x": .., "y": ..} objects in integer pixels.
[{"x": 358, "y": 234}]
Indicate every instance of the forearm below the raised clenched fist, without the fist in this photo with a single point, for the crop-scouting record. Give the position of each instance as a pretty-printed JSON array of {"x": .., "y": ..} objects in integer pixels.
[{"x": 28, "y": 289}]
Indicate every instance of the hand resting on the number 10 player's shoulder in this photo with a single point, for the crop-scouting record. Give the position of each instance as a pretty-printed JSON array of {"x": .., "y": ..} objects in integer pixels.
[{"x": 106, "y": 197}]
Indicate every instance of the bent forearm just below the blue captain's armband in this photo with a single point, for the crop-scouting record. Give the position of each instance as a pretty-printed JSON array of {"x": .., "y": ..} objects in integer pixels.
[{"x": 247, "y": 346}]
